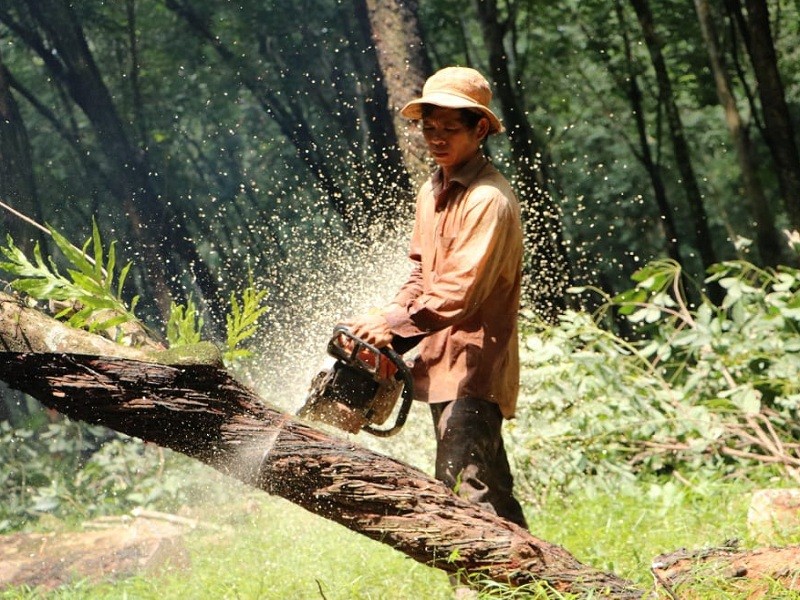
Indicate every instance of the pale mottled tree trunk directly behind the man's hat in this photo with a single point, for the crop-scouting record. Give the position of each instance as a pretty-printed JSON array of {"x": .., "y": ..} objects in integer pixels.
[{"x": 395, "y": 32}]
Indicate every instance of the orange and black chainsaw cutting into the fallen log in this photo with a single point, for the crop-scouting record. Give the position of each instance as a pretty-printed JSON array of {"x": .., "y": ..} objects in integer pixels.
[{"x": 361, "y": 389}]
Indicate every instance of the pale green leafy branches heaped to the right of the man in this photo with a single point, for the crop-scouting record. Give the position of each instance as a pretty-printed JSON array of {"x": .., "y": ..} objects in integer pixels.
[{"x": 706, "y": 388}]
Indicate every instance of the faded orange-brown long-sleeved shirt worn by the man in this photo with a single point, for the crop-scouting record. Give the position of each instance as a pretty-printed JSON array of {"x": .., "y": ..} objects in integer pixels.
[{"x": 464, "y": 289}]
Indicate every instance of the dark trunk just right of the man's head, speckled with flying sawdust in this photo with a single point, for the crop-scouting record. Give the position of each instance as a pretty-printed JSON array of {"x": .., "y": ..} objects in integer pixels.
[{"x": 547, "y": 265}]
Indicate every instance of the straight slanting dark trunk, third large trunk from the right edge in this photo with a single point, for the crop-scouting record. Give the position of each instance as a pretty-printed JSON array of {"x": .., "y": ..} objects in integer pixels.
[{"x": 680, "y": 146}]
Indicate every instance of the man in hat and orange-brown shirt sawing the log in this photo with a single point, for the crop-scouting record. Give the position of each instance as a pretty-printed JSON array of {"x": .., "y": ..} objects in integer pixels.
[{"x": 462, "y": 297}]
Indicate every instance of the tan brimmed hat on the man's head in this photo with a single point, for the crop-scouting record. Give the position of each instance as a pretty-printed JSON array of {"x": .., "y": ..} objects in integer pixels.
[{"x": 456, "y": 87}]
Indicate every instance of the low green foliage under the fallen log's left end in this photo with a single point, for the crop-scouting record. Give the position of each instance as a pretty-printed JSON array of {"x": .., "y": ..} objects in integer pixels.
[{"x": 71, "y": 470}]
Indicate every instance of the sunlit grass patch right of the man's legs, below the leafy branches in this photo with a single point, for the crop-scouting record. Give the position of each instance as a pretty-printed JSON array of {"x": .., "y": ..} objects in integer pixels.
[{"x": 624, "y": 529}]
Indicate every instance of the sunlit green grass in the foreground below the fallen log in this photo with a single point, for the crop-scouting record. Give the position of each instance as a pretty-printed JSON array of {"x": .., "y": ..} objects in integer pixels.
[{"x": 267, "y": 548}]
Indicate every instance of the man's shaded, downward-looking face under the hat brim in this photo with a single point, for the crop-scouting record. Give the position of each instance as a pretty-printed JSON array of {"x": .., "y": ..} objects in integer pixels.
[{"x": 450, "y": 142}]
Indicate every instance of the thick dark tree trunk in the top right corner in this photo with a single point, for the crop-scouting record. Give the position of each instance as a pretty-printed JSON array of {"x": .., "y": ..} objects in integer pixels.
[{"x": 777, "y": 120}]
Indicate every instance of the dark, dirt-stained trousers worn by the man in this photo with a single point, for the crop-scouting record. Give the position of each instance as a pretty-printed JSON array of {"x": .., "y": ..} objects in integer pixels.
[{"x": 471, "y": 458}]
